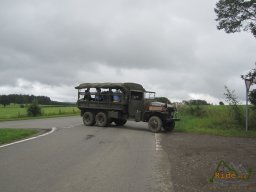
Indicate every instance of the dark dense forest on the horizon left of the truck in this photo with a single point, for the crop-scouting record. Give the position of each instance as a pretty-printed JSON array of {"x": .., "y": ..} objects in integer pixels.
[{"x": 26, "y": 99}]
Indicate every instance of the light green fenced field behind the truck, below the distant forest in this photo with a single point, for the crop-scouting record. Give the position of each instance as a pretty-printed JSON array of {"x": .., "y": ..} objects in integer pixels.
[{"x": 16, "y": 112}]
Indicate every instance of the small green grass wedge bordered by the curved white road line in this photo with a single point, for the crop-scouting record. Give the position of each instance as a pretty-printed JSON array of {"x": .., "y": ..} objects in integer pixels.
[{"x": 10, "y": 135}]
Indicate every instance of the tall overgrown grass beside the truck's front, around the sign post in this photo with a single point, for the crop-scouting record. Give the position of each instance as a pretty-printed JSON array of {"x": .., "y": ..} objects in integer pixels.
[{"x": 214, "y": 120}]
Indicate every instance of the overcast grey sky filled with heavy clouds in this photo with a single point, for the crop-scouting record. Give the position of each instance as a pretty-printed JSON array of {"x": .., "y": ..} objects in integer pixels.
[{"x": 169, "y": 46}]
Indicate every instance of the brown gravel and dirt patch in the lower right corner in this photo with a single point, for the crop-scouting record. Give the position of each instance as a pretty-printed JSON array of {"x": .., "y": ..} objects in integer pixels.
[{"x": 202, "y": 163}]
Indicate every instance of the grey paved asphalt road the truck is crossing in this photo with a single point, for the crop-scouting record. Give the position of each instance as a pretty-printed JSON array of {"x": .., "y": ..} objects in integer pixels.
[{"x": 77, "y": 158}]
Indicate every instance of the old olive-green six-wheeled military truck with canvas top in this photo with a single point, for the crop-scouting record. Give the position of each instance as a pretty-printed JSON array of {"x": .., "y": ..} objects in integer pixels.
[{"x": 104, "y": 103}]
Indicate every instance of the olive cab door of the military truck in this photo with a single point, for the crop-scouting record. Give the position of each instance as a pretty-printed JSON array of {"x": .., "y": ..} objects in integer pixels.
[{"x": 136, "y": 105}]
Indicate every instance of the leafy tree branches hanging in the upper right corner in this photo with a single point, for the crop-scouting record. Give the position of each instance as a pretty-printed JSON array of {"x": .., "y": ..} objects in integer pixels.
[{"x": 236, "y": 15}]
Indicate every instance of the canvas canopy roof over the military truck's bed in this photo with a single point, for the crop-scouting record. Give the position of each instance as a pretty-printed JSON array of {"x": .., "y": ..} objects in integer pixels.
[{"x": 126, "y": 86}]
